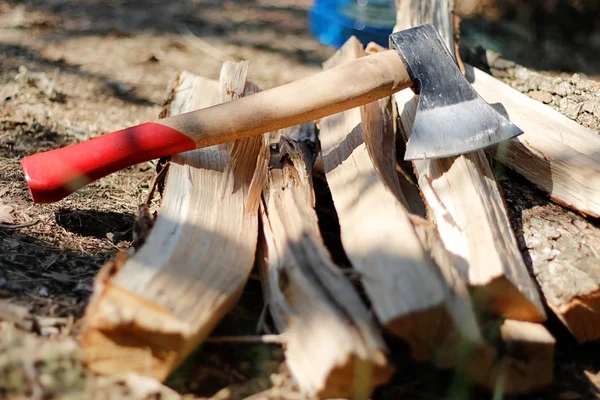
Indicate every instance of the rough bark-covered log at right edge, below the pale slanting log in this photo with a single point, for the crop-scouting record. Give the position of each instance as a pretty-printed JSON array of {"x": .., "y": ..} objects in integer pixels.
[{"x": 563, "y": 248}]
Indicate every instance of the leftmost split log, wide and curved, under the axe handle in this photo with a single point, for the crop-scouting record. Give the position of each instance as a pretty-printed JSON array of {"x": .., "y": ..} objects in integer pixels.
[{"x": 150, "y": 311}]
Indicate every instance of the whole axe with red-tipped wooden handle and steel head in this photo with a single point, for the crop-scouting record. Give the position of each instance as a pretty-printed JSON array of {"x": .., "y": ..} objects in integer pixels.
[{"x": 451, "y": 117}]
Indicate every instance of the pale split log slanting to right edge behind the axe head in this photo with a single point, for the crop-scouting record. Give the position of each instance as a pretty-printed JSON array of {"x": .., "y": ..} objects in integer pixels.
[{"x": 555, "y": 153}]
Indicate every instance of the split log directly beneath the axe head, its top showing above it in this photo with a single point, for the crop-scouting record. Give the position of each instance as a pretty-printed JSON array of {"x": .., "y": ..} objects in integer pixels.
[{"x": 462, "y": 196}]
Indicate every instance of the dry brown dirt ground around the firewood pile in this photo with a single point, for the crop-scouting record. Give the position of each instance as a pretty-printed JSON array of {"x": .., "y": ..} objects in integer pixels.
[{"x": 70, "y": 70}]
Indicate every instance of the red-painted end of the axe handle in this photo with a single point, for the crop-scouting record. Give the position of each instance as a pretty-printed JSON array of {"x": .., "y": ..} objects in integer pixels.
[{"x": 55, "y": 174}]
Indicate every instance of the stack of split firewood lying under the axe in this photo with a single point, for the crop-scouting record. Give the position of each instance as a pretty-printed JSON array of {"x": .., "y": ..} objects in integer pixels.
[{"x": 429, "y": 242}]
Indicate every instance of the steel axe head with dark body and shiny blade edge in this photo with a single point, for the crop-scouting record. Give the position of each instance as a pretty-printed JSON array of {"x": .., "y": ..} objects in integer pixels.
[{"x": 451, "y": 117}]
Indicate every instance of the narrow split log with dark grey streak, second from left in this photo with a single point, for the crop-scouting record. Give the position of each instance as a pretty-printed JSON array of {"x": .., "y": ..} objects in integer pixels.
[{"x": 333, "y": 347}]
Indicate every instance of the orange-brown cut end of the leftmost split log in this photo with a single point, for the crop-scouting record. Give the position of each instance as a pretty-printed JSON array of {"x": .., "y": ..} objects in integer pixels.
[{"x": 117, "y": 335}]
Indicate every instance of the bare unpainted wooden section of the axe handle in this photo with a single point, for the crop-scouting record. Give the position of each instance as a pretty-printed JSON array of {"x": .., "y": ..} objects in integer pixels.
[{"x": 322, "y": 94}]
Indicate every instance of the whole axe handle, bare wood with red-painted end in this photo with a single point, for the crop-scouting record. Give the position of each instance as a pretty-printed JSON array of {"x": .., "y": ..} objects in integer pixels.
[{"x": 55, "y": 174}]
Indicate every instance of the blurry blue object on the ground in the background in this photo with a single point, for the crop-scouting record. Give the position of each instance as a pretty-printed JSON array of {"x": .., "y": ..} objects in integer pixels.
[{"x": 334, "y": 21}]
